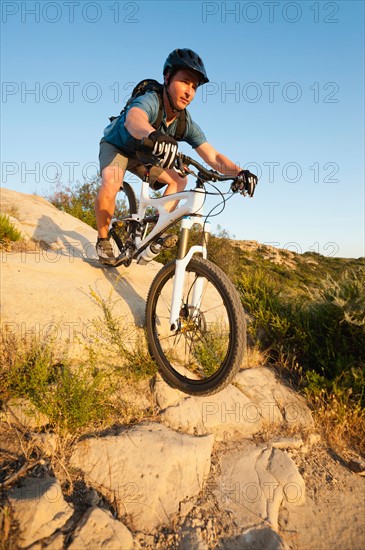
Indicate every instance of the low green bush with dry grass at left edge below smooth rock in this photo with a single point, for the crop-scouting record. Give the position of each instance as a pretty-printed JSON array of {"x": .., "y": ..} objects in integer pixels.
[{"x": 71, "y": 397}]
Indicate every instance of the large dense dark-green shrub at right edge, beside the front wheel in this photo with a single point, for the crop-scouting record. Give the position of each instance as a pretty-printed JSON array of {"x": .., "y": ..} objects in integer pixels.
[{"x": 323, "y": 332}]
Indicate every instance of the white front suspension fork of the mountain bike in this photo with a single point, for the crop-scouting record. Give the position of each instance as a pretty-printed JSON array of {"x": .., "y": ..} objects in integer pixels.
[{"x": 182, "y": 261}]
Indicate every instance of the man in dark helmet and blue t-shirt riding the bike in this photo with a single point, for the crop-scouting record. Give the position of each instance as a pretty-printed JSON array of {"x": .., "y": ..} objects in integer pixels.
[{"x": 183, "y": 72}]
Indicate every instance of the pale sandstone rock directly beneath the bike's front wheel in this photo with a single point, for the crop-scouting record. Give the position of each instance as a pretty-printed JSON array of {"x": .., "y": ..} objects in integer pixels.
[{"x": 255, "y": 399}]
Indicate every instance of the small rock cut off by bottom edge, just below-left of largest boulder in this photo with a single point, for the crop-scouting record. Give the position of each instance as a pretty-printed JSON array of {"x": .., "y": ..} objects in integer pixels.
[{"x": 98, "y": 529}]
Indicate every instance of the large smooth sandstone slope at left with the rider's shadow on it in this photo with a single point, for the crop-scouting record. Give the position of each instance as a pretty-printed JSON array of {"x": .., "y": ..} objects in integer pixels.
[{"x": 63, "y": 275}]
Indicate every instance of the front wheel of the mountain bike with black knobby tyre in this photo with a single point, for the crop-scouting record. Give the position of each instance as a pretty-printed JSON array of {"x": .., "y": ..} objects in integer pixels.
[{"x": 200, "y": 355}]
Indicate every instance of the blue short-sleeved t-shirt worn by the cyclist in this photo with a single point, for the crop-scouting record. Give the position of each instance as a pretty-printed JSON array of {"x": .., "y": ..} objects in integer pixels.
[{"x": 117, "y": 134}]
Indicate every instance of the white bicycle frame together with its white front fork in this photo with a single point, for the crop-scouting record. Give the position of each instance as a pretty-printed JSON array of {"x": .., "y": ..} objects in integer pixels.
[{"x": 190, "y": 209}]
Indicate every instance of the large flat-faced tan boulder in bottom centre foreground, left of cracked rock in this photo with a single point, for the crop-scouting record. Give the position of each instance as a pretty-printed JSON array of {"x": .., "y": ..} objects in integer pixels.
[{"x": 148, "y": 469}]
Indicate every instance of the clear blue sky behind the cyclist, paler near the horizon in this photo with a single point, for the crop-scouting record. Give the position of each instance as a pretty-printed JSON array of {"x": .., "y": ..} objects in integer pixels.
[{"x": 285, "y": 99}]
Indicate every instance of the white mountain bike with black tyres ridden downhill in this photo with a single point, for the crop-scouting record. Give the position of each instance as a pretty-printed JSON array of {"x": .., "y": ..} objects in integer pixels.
[{"x": 195, "y": 322}]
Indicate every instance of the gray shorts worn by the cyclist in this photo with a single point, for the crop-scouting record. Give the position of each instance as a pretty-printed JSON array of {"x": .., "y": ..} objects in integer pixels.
[{"x": 109, "y": 155}]
